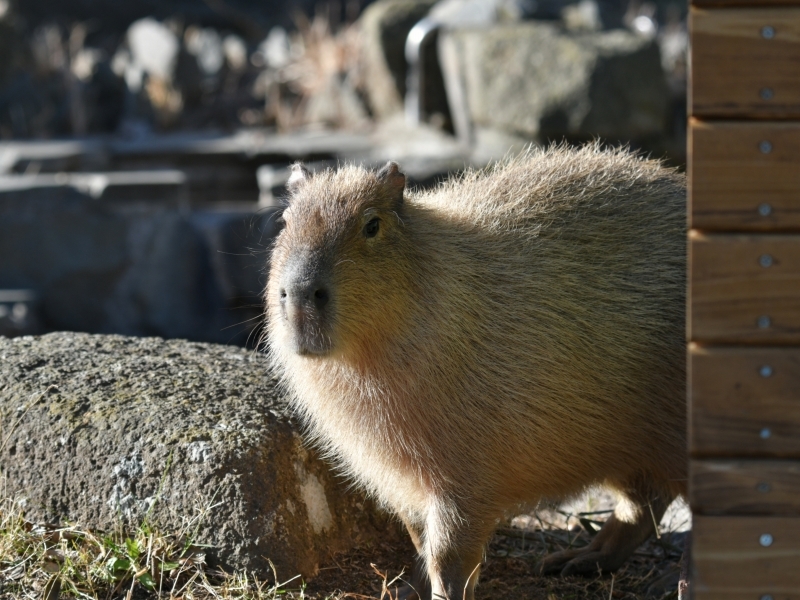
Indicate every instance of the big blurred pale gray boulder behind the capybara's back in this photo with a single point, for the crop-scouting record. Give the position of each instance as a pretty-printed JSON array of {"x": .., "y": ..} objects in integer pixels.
[{"x": 537, "y": 80}]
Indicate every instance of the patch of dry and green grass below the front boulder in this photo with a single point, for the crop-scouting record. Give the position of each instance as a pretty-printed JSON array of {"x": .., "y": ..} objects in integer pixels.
[{"x": 49, "y": 562}]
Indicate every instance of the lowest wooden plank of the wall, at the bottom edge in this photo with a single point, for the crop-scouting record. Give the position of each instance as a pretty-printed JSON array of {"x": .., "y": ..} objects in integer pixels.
[{"x": 732, "y": 555}]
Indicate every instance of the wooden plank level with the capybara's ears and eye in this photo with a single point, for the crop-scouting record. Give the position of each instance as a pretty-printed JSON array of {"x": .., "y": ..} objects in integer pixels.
[{"x": 744, "y": 176}]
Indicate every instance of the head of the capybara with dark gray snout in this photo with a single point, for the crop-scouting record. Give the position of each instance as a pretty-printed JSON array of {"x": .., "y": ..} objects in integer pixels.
[{"x": 339, "y": 271}]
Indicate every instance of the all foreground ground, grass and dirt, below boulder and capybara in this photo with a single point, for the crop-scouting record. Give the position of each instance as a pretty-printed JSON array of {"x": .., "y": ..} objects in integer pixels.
[{"x": 48, "y": 562}]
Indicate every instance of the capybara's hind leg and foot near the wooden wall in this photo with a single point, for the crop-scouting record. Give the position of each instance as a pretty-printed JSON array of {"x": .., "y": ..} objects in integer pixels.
[{"x": 633, "y": 521}]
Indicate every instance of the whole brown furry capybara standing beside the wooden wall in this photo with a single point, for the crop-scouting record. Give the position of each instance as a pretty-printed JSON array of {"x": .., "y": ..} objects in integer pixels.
[{"x": 514, "y": 334}]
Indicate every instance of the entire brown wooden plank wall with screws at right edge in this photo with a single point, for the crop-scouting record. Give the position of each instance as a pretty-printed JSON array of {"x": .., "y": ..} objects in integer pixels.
[{"x": 744, "y": 299}]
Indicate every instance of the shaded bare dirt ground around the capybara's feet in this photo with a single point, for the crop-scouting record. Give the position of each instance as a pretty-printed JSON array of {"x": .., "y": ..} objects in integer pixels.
[{"x": 512, "y": 555}]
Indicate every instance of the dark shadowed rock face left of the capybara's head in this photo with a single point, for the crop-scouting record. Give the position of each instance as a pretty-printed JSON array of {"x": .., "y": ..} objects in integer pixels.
[{"x": 135, "y": 268}]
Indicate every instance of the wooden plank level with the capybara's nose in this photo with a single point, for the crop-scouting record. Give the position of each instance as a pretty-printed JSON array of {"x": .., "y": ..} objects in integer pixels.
[{"x": 744, "y": 288}]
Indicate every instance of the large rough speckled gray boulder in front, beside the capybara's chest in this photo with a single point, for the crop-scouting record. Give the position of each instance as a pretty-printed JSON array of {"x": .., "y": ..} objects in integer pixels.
[{"x": 103, "y": 429}]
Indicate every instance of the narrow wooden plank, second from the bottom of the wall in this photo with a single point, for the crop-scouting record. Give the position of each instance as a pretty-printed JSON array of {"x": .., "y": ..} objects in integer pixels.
[{"x": 745, "y": 487}]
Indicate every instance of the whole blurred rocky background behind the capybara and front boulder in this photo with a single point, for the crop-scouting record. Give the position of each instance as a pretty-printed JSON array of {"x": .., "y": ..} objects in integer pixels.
[{"x": 144, "y": 146}]
